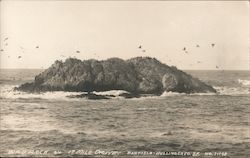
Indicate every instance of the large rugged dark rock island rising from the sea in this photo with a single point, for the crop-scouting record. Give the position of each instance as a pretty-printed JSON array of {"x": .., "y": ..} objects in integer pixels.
[{"x": 140, "y": 75}]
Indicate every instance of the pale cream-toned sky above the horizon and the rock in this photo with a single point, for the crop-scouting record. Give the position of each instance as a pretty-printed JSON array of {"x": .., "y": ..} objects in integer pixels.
[{"x": 40, "y": 32}]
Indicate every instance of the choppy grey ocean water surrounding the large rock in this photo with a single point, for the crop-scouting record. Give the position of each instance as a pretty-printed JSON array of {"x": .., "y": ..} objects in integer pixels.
[{"x": 171, "y": 125}]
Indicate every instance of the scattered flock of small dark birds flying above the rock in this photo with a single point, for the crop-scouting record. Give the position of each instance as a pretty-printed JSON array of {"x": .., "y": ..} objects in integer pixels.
[{"x": 140, "y": 47}]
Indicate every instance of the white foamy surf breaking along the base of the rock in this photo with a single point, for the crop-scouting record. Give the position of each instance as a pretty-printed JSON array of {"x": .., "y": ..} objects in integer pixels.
[{"x": 7, "y": 91}]
